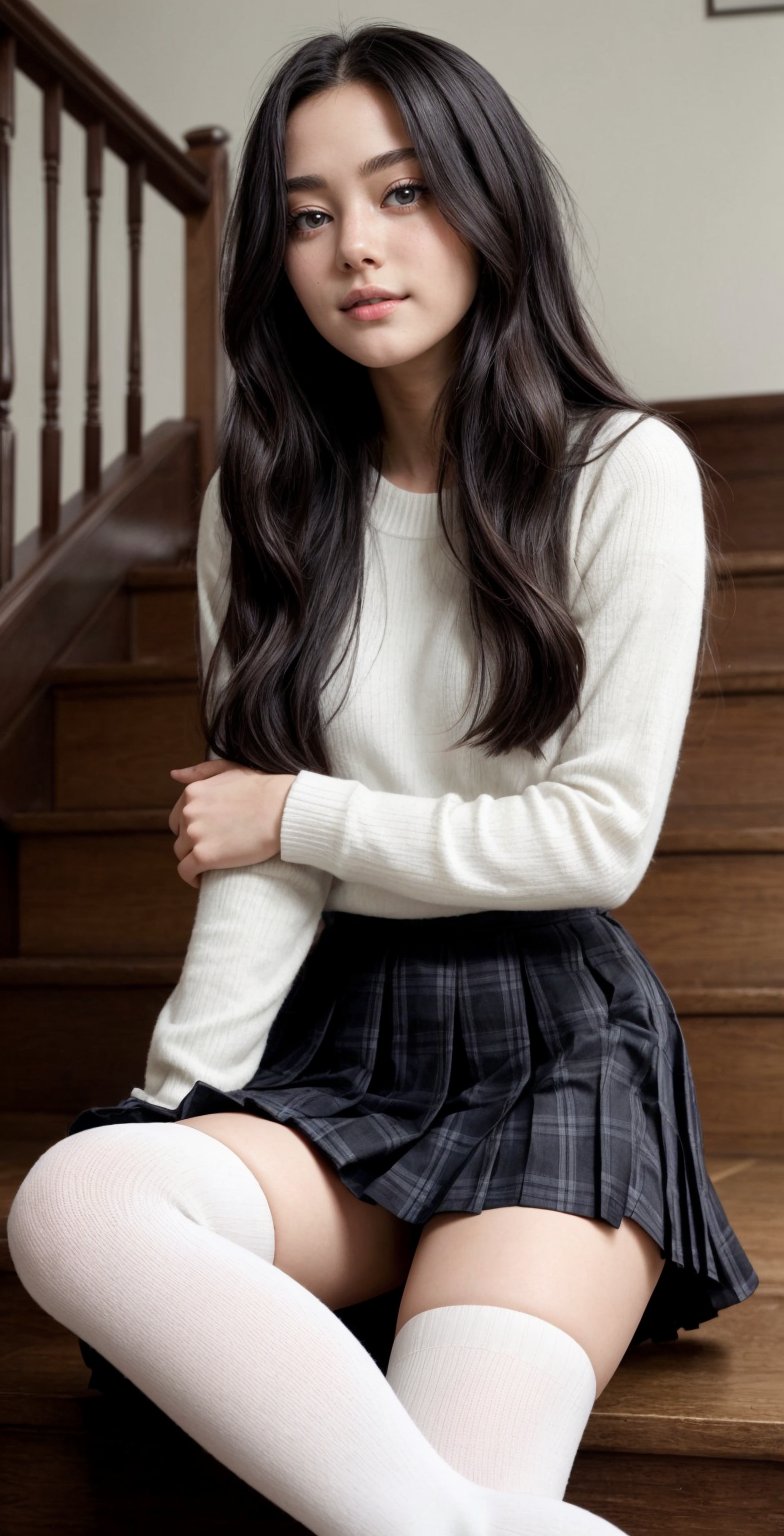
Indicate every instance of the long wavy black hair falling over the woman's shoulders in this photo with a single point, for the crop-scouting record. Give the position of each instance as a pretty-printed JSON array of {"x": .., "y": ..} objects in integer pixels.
[{"x": 302, "y": 435}]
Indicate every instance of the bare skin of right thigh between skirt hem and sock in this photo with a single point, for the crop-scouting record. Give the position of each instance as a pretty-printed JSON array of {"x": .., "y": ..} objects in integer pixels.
[{"x": 588, "y": 1277}]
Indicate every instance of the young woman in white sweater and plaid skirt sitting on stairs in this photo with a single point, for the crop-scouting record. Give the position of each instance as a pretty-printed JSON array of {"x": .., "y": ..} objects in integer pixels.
[{"x": 468, "y": 1078}]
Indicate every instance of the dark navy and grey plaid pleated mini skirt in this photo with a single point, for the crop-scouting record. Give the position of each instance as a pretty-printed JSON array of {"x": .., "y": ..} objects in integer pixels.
[{"x": 497, "y": 1059}]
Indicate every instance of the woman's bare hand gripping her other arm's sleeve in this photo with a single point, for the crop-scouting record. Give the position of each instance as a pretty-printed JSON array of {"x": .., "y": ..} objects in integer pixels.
[{"x": 228, "y": 816}]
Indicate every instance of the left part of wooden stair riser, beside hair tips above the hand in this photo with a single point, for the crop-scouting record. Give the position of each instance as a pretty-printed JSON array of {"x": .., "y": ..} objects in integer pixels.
[{"x": 115, "y": 747}]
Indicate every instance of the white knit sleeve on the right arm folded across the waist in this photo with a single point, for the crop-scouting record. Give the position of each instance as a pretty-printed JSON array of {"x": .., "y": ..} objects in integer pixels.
[{"x": 588, "y": 832}]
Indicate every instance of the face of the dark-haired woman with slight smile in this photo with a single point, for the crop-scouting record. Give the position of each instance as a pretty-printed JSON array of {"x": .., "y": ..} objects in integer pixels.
[{"x": 364, "y": 231}]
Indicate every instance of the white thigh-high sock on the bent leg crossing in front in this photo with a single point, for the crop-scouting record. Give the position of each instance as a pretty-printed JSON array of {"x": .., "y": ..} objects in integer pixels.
[{"x": 154, "y": 1243}]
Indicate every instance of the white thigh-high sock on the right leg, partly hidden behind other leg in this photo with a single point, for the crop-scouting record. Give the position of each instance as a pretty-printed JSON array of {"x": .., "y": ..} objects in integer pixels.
[{"x": 502, "y": 1395}]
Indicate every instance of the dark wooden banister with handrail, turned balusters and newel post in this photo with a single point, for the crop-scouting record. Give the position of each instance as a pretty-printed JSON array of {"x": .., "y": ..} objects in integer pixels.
[{"x": 194, "y": 182}]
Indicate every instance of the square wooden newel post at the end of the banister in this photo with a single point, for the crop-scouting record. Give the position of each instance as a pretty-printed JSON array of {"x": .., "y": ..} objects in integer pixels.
[{"x": 207, "y": 366}]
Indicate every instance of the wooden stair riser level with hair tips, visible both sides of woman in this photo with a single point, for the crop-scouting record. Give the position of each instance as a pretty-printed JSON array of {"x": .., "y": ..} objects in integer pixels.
[{"x": 115, "y": 747}]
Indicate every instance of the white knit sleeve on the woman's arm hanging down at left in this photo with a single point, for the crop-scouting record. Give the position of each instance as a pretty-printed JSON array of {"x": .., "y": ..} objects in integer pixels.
[{"x": 253, "y": 925}]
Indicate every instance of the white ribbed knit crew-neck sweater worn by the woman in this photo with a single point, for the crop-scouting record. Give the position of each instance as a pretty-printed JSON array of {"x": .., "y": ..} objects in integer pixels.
[{"x": 410, "y": 827}]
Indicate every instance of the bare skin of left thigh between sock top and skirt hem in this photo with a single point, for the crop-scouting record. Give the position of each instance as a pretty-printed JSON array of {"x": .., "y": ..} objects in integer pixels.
[{"x": 344, "y": 1250}]
